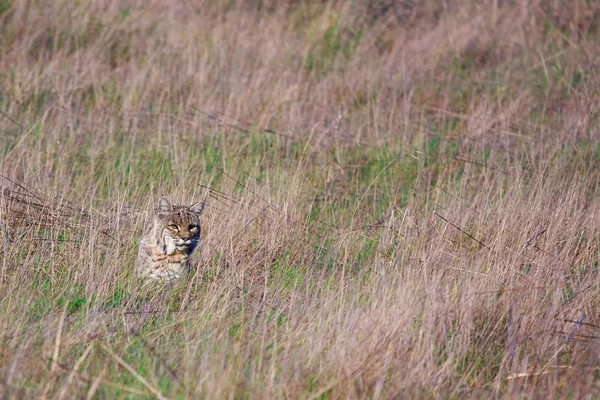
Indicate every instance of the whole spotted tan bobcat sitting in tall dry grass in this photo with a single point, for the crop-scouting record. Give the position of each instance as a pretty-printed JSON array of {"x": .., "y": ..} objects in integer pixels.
[{"x": 170, "y": 240}]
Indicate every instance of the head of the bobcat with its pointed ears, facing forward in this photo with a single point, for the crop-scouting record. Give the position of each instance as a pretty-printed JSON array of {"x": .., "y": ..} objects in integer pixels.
[{"x": 179, "y": 227}]
